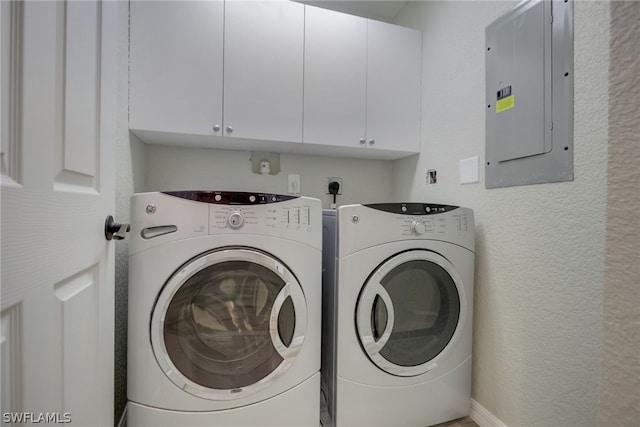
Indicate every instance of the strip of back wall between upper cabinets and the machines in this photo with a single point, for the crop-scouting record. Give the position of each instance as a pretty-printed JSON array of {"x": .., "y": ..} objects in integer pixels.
[{"x": 177, "y": 168}]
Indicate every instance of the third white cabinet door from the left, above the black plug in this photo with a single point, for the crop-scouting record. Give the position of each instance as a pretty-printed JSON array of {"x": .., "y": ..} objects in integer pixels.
[{"x": 335, "y": 70}]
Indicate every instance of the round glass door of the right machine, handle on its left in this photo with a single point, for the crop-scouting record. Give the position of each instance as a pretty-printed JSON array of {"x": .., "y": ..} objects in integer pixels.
[{"x": 409, "y": 311}]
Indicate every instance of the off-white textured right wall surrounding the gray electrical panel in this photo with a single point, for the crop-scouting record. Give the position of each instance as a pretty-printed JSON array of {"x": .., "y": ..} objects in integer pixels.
[{"x": 540, "y": 249}]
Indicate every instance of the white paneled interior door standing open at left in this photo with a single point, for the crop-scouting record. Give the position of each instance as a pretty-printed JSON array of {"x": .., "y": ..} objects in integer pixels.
[{"x": 59, "y": 100}]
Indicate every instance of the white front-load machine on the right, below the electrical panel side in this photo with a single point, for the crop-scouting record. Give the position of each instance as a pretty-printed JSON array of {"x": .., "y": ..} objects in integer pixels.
[{"x": 398, "y": 291}]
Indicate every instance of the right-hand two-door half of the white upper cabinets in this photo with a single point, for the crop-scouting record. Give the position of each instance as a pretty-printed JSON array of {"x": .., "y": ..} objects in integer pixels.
[{"x": 362, "y": 83}]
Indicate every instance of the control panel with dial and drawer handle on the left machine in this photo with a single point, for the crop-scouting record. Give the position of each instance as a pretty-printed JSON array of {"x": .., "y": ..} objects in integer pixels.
[{"x": 158, "y": 218}]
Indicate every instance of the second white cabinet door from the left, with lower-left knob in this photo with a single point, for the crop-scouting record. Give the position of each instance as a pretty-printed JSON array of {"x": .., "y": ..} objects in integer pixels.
[{"x": 263, "y": 70}]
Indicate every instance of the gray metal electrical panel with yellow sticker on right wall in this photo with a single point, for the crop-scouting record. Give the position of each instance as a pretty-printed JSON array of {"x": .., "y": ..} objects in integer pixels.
[{"x": 529, "y": 95}]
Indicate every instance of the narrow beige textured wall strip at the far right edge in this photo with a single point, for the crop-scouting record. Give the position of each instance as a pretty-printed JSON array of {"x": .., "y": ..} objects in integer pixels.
[{"x": 620, "y": 369}]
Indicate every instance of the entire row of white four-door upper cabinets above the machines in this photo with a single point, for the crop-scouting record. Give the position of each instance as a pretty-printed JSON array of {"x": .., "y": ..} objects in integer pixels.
[{"x": 273, "y": 76}]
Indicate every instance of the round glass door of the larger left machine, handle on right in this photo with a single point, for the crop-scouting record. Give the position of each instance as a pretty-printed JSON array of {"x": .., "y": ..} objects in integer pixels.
[{"x": 228, "y": 323}]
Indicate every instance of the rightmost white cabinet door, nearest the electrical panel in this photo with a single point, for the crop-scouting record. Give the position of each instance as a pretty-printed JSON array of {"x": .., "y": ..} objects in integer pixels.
[{"x": 393, "y": 87}]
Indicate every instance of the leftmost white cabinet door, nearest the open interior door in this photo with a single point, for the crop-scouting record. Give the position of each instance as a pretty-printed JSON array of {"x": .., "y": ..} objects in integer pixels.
[{"x": 176, "y": 66}]
